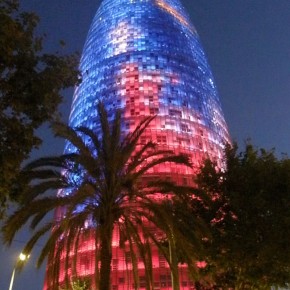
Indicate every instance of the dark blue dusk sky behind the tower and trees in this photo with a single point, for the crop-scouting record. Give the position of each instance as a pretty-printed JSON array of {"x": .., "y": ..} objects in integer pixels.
[{"x": 247, "y": 43}]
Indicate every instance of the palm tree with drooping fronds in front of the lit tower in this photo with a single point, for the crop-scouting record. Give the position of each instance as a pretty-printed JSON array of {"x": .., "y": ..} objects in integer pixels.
[{"x": 100, "y": 184}]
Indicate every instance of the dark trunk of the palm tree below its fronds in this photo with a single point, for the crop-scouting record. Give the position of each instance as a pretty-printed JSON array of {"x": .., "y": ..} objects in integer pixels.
[{"x": 106, "y": 232}]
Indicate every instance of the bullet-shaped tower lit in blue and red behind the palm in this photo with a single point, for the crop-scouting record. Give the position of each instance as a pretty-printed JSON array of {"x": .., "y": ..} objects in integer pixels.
[{"x": 145, "y": 58}]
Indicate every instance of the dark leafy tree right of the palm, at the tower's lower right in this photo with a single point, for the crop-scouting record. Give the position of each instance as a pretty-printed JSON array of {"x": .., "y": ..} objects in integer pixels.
[{"x": 249, "y": 218}]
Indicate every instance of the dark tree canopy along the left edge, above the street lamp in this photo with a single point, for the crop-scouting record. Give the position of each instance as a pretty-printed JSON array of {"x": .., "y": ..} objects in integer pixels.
[{"x": 31, "y": 85}]
